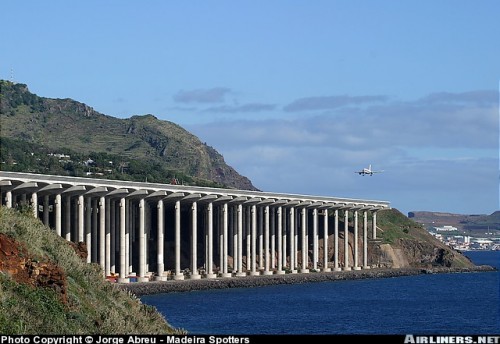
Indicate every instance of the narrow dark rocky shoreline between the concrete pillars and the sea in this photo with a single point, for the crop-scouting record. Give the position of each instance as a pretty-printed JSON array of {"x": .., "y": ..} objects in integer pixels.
[{"x": 162, "y": 287}]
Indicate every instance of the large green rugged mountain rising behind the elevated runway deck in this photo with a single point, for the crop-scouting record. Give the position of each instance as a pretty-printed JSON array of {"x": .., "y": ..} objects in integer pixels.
[{"x": 55, "y": 136}]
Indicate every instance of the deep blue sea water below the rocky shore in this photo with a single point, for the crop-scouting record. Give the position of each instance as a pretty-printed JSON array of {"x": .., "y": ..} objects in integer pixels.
[{"x": 458, "y": 303}]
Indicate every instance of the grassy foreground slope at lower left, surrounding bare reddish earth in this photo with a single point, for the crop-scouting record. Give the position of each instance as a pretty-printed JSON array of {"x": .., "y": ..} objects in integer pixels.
[{"x": 94, "y": 305}]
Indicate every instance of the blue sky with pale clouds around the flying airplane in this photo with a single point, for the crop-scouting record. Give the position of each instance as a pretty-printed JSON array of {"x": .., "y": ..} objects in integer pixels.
[{"x": 296, "y": 95}]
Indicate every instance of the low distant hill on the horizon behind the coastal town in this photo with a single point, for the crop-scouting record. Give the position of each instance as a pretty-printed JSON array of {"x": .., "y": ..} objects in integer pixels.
[{"x": 471, "y": 222}]
